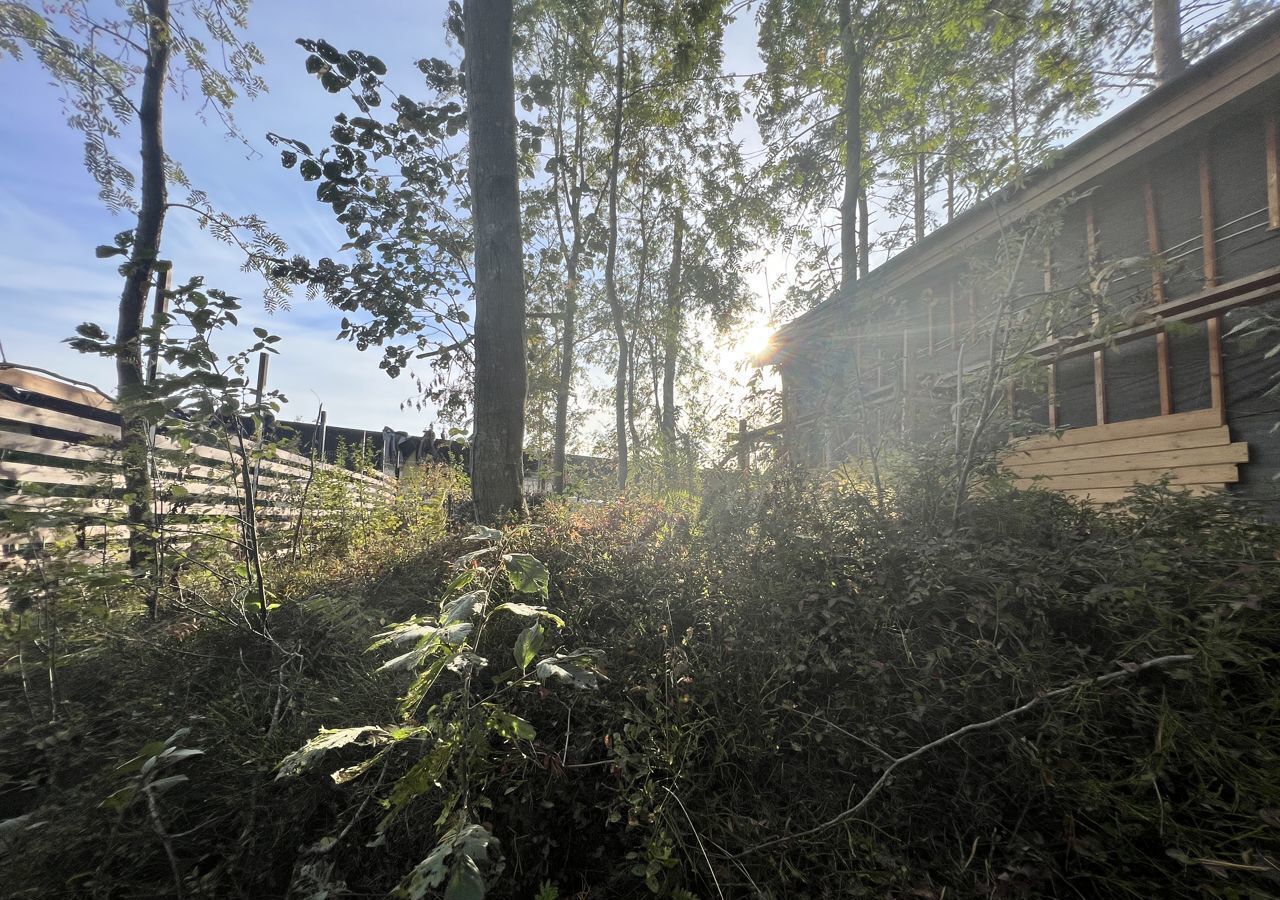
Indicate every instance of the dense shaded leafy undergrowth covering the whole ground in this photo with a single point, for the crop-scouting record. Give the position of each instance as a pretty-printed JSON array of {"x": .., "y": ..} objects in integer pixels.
[{"x": 762, "y": 663}]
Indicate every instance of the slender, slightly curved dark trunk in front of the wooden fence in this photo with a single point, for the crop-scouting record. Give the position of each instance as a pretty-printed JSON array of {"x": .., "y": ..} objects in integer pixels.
[{"x": 135, "y": 438}]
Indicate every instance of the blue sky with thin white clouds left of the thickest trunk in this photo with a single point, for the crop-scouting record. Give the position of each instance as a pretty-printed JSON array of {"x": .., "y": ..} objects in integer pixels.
[{"x": 52, "y": 221}]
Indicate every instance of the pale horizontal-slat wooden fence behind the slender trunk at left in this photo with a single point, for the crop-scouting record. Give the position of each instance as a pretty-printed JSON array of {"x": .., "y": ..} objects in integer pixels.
[{"x": 60, "y": 459}]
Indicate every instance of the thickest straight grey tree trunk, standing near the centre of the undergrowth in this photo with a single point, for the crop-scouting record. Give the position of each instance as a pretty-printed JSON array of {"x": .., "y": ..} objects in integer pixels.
[{"x": 501, "y": 378}]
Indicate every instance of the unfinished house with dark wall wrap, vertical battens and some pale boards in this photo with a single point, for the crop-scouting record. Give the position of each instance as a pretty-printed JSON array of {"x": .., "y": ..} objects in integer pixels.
[{"x": 1121, "y": 275}]
